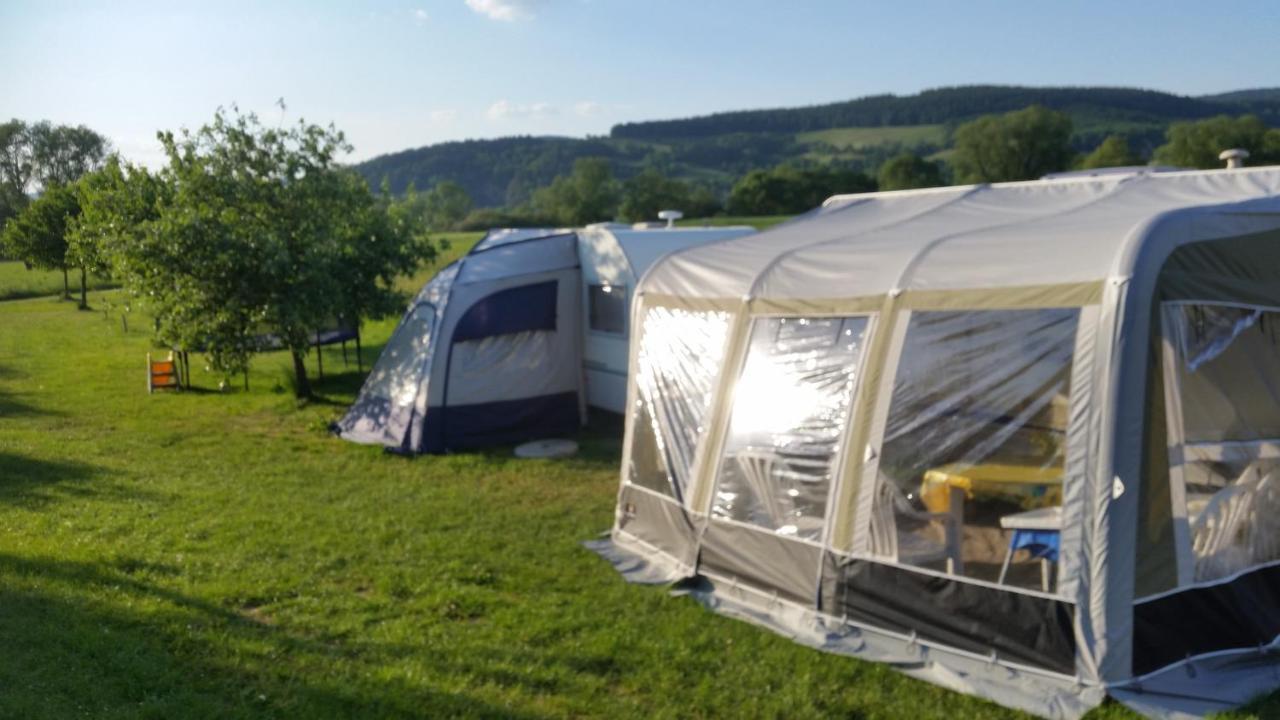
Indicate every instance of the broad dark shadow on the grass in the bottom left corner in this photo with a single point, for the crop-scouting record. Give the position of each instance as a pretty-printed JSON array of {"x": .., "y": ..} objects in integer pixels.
[{"x": 104, "y": 641}]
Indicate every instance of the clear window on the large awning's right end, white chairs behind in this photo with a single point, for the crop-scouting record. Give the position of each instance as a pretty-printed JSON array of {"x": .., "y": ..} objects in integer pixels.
[{"x": 1226, "y": 432}]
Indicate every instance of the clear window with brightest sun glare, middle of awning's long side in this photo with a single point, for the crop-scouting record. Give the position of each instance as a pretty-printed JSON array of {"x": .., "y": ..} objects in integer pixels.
[{"x": 790, "y": 411}]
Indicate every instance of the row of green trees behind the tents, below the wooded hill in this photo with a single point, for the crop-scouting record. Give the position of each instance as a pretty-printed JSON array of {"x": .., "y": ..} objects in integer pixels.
[{"x": 1025, "y": 144}]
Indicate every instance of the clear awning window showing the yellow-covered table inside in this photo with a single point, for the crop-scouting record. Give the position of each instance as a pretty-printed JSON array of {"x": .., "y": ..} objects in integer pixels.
[{"x": 972, "y": 466}]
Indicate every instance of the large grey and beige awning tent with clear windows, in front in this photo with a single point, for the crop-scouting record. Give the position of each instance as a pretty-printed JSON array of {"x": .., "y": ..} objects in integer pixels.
[{"x": 1020, "y": 440}]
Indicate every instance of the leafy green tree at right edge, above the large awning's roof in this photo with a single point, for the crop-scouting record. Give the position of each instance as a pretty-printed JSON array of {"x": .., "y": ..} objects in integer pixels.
[{"x": 1197, "y": 144}]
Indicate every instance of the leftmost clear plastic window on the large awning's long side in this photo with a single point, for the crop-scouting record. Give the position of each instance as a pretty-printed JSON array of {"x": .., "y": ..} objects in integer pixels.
[{"x": 678, "y": 363}]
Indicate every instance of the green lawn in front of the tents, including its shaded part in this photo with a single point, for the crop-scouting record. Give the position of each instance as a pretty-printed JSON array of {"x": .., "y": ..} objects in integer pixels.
[{"x": 221, "y": 555}]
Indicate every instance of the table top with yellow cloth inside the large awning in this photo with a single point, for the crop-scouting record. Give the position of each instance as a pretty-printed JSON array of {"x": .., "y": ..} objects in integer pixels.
[{"x": 947, "y": 487}]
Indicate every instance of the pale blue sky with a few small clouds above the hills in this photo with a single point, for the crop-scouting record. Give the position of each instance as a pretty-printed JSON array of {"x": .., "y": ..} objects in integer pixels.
[{"x": 397, "y": 75}]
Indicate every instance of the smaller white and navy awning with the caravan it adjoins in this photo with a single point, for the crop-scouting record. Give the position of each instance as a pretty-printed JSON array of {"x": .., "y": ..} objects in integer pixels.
[{"x": 514, "y": 341}]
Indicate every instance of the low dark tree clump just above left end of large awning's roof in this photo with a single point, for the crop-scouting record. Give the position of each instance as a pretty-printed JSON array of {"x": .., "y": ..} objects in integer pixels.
[{"x": 787, "y": 190}]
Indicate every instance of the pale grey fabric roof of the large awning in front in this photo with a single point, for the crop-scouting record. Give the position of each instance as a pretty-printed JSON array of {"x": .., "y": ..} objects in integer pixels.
[{"x": 1008, "y": 235}]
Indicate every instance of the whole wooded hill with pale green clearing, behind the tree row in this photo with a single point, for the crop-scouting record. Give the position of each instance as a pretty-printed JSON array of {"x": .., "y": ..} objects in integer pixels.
[{"x": 717, "y": 149}]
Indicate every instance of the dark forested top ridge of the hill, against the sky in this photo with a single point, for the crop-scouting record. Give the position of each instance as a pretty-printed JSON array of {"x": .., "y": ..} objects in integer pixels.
[{"x": 952, "y": 104}]
